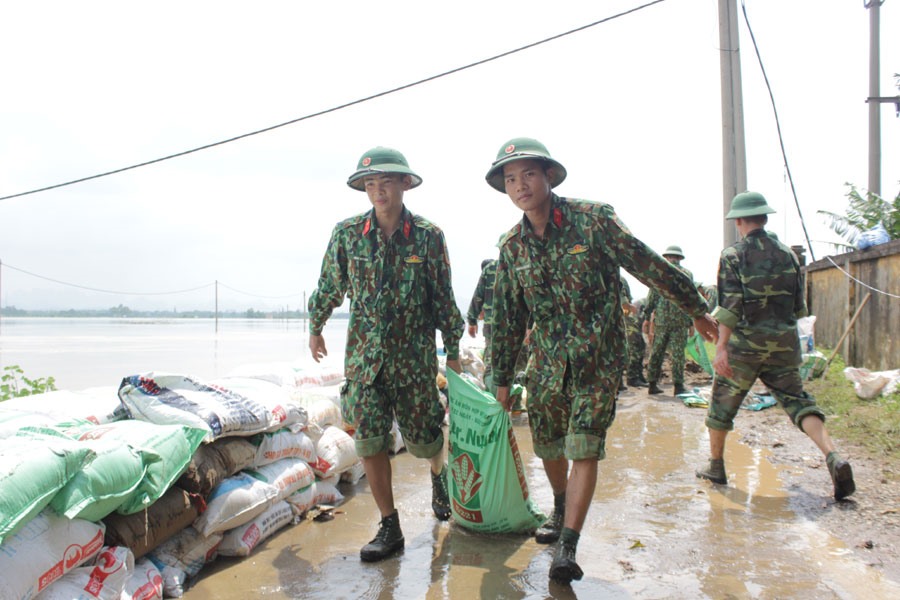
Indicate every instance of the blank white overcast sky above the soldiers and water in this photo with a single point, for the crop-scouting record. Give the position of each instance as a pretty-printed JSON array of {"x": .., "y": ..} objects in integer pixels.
[{"x": 631, "y": 107}]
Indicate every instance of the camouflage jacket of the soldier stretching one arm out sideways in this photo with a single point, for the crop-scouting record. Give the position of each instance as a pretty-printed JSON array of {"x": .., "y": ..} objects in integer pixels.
[{"x": 569, "y": 283}]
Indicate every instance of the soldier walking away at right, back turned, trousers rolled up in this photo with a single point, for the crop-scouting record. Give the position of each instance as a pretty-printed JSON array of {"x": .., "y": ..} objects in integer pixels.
[{"x": 760, "y": 298}]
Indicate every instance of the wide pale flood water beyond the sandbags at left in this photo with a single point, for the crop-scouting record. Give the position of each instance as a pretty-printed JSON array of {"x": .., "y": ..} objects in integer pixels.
[{"x": 83, "y": 353}]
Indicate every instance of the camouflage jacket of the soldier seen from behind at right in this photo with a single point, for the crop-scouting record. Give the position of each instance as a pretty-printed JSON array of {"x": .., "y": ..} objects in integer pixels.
[{"x": 760, "y": 299}]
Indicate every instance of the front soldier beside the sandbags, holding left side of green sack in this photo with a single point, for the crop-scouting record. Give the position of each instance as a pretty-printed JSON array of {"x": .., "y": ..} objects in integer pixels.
[{"x": 394, "y": 267}]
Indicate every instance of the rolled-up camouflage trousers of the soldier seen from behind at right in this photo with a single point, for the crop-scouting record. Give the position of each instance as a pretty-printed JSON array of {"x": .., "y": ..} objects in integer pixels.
[{"x": 784, "y": 383}]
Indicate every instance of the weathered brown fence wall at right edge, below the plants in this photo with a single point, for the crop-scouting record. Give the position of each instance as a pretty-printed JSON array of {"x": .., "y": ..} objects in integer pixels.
[{"x": 874, "y": 340}]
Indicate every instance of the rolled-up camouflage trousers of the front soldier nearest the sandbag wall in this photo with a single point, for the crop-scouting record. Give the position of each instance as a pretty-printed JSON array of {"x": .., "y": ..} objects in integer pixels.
[{"x": 371, "y": 409}]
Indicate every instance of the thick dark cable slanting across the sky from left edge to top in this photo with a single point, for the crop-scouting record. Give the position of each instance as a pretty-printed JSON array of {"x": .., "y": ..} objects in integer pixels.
[{"x": 340, "y": 106}]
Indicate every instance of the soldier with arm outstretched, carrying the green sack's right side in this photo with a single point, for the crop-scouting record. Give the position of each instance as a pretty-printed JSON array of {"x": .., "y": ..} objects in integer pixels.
[{"x": 559, "y": 267}]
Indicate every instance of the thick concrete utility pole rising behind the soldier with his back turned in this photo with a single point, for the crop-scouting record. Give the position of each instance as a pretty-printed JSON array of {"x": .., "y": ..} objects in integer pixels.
[{"x": 734, "y": 157}]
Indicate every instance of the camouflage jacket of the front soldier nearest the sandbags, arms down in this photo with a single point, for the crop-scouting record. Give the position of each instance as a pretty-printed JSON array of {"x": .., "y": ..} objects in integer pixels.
[{"x": 399, "y": 292}]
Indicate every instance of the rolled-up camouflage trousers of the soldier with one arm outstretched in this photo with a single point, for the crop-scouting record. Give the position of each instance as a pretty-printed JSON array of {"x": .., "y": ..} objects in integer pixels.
[{"x": 572, "y": 423}]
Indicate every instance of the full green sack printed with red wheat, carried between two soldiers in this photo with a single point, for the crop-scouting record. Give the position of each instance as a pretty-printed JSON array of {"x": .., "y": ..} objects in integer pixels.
[{"x": 488, "y": 489}]
